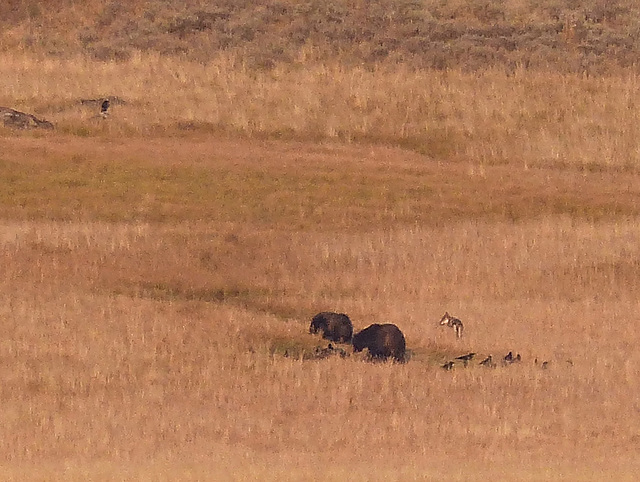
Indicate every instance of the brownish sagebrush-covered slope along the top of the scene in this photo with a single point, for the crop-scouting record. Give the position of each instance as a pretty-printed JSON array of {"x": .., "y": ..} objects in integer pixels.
[{"x": 588, "y": 36}]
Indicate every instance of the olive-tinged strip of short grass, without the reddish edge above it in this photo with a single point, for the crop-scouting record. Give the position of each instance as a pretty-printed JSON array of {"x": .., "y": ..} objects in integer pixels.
[{"x": 309, "y": 197}]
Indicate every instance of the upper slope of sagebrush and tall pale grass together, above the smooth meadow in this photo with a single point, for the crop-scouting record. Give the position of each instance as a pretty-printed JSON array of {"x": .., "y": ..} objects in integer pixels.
[{"x": 458, "y": 81}]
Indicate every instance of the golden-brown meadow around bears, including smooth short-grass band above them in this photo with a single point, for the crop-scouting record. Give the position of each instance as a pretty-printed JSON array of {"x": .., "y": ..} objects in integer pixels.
[{"x": 152, "y": 346}]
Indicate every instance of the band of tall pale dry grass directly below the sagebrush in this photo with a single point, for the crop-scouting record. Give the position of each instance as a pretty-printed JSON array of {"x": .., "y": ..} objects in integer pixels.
[{"x": 530, "y": 119}]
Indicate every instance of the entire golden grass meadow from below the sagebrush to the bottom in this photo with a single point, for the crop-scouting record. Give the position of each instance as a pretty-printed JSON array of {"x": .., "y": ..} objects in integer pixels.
[{"x": 161, "y": 264}]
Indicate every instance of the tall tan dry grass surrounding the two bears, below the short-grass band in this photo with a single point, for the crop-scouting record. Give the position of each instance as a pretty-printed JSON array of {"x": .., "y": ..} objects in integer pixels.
[{"x": 94, "y": 377}]
